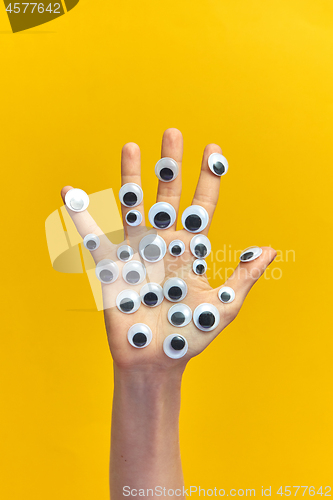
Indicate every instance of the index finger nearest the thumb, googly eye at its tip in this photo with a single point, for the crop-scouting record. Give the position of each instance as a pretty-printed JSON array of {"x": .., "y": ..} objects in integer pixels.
[{"x": 208, "y": 187}]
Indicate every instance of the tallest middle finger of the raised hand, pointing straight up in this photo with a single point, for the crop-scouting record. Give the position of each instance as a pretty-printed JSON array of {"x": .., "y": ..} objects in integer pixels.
[{"x": 172, "y": 147}]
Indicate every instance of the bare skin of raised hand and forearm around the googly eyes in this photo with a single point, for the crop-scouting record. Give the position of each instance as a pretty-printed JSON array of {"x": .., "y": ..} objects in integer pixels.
[{"x": 145, "y": 449}]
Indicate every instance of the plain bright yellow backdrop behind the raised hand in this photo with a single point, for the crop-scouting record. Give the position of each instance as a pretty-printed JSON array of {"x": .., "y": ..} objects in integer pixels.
[{"x": 255, "y": 77}]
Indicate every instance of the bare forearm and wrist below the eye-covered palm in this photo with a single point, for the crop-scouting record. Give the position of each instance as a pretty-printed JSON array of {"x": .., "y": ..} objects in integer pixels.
[{"x": 145, "y": 431}]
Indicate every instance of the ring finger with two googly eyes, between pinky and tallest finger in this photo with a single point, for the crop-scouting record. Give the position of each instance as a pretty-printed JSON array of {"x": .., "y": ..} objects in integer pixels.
[{"x": 131, "y": 172}]
